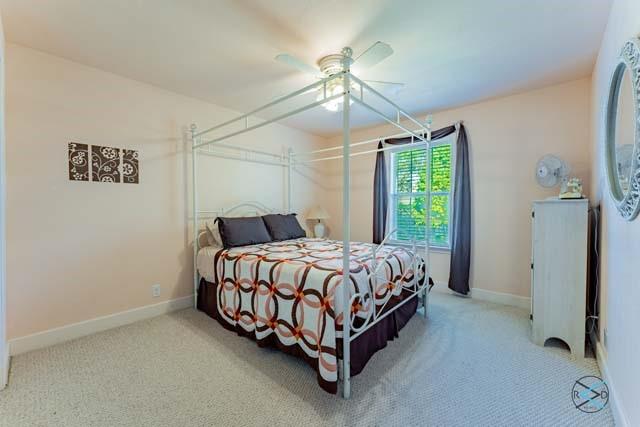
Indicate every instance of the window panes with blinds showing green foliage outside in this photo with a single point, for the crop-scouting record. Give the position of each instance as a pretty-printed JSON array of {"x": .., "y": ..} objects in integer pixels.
[{"x": 408, "y": 193}]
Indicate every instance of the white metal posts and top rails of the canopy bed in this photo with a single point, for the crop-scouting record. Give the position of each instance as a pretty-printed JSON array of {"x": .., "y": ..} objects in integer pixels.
[{"x": 209, "y": 143}]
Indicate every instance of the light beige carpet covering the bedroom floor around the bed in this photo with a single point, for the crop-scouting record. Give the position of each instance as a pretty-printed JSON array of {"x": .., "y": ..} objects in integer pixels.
[{"x": 470, "y": 364}]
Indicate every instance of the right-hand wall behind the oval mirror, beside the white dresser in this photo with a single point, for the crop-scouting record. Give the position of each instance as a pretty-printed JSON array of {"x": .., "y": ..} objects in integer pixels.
[{"x": 620, "y": 244}]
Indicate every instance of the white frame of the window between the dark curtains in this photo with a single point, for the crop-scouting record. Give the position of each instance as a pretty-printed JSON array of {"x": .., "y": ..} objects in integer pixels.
[{"x": 447, "y": 140}]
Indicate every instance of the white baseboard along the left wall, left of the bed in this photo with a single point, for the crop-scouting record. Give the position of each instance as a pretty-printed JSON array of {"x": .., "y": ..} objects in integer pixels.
[{"x": 88, "y": 327}]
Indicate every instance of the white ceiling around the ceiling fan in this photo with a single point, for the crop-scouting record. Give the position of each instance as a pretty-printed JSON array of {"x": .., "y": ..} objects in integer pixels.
[{"x": 448, "y": 53}]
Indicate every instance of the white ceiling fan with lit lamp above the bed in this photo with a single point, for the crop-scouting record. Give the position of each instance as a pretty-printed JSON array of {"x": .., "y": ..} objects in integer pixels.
[{"x": 332, "y": 64}]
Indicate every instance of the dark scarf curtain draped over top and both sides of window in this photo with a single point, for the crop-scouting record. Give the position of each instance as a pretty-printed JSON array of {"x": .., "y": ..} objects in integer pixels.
[{"x": 461, "y": 206}]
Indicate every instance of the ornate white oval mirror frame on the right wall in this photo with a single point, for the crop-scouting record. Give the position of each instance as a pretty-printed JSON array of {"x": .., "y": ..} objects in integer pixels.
[{"x": 628, "y": 204}]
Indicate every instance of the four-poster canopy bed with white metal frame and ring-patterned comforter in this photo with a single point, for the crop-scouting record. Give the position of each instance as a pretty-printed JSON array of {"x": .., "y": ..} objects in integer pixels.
[{"x": 382, "y": 279}]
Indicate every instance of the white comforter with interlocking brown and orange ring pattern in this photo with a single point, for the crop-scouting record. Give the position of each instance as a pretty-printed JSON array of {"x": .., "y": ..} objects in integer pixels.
[{"x": 293, "y": 290}]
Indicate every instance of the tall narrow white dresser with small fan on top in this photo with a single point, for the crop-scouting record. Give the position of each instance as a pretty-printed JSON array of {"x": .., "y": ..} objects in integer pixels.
[{"x": 559, "y": 272}]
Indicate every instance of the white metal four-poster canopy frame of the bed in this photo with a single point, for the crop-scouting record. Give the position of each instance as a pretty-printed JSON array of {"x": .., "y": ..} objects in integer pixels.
[{"x": 421, "y": 137}]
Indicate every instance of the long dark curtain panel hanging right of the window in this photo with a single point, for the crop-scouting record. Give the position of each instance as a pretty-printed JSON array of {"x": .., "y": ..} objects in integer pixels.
[{"x": 461, "y": 223}]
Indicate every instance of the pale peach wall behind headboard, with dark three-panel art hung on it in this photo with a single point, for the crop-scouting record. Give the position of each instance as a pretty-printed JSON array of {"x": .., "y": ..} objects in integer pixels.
[{"x": 79, "y": 250}]
